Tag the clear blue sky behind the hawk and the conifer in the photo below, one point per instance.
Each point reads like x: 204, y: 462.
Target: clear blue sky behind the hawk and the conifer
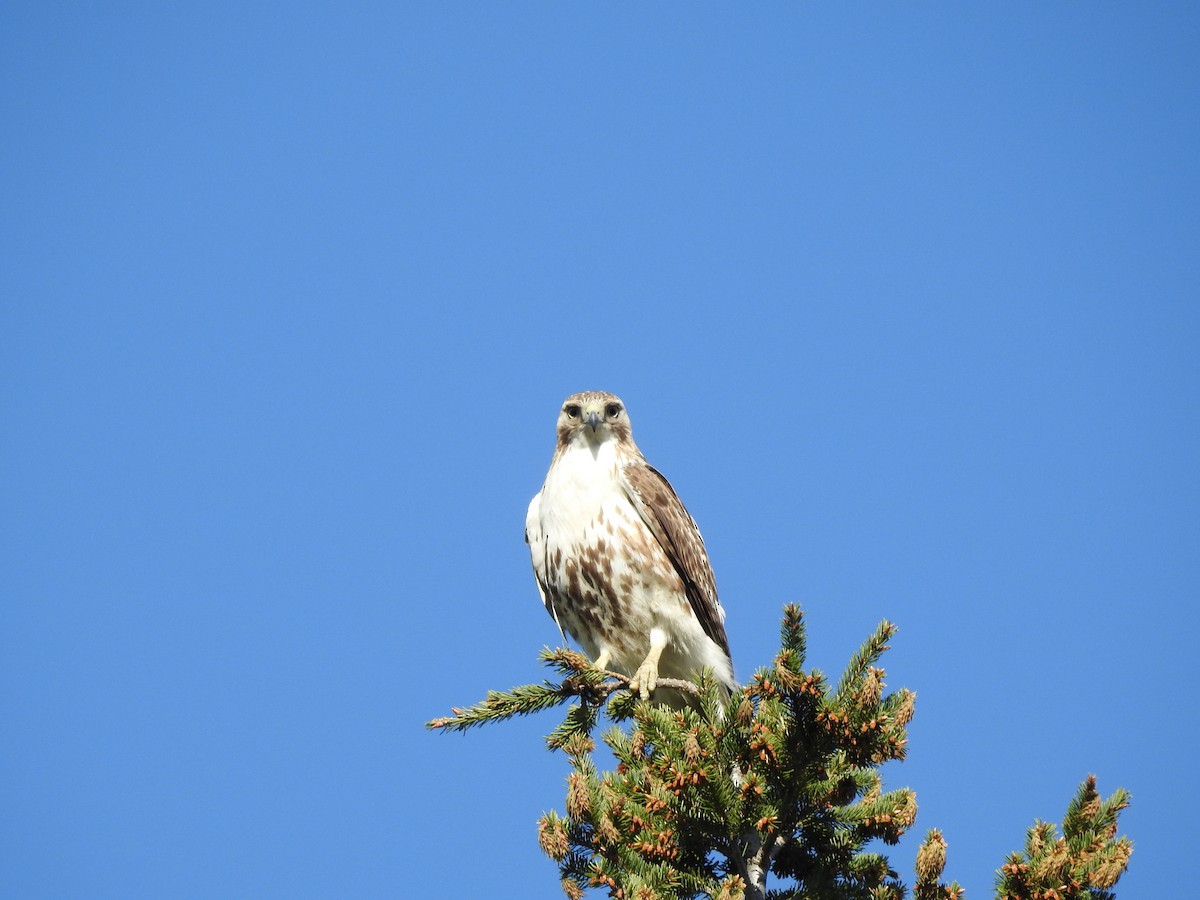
x: 904, y: 299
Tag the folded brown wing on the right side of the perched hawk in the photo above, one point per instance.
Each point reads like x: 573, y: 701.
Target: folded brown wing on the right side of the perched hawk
x: 676, y: 531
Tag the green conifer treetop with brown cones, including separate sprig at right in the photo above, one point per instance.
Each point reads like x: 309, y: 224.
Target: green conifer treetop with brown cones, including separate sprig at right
x: 781, y: 779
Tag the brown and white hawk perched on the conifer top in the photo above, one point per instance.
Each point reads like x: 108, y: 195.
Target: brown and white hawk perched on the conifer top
x: 620, y: 562
